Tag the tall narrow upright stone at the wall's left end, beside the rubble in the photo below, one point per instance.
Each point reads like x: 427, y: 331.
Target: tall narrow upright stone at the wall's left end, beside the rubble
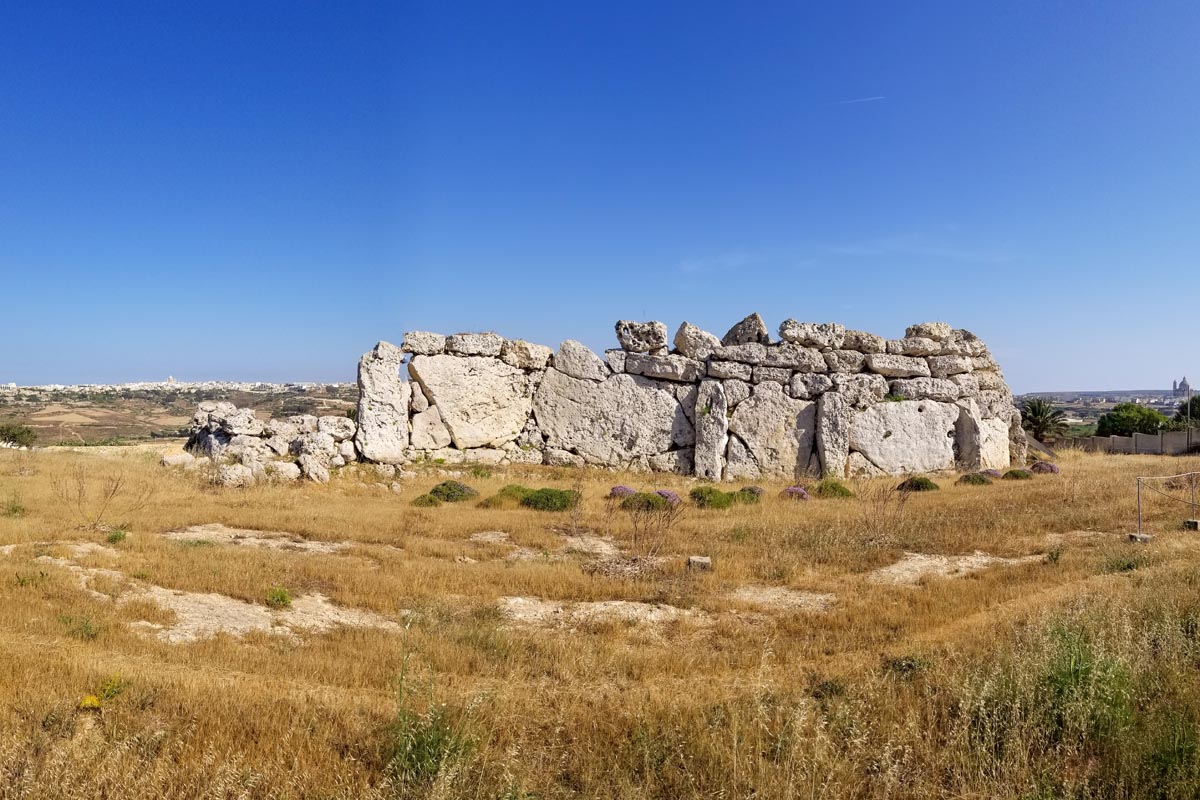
x: 382, y: 435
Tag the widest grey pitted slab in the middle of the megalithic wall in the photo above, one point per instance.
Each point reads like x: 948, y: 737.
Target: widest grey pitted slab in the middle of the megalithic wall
x: 611, y: 423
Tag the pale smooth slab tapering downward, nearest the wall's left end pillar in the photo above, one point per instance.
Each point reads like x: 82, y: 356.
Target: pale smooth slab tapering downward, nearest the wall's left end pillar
x: 483, y: 402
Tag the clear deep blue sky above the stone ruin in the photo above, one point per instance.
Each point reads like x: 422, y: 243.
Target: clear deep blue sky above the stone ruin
x: 262, y: 191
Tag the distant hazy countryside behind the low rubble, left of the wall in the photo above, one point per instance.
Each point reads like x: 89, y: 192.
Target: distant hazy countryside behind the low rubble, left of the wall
x: 61, y: 418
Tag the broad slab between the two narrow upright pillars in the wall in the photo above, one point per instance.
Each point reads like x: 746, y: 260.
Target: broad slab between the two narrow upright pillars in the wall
x: 779, y: 431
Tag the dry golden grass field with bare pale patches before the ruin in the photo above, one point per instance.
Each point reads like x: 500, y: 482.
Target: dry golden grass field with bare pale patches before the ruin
x: 337, y: 642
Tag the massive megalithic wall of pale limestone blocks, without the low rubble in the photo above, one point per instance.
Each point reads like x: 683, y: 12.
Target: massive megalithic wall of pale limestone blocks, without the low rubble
x: 820, y: 401
